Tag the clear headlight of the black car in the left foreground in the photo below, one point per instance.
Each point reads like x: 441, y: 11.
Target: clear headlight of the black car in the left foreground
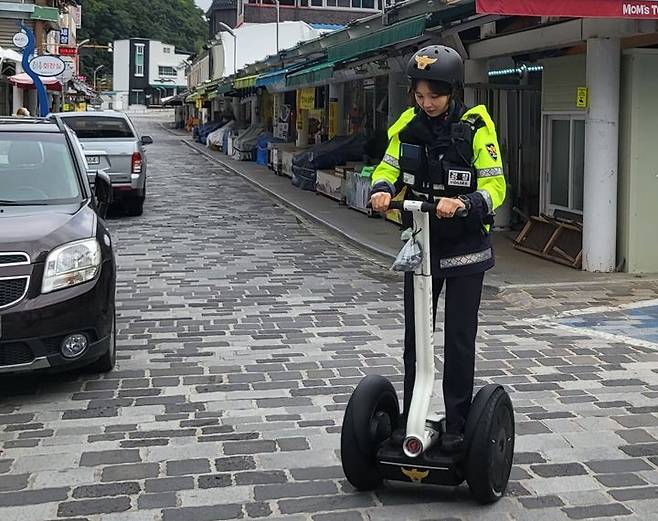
x: 71, y: 264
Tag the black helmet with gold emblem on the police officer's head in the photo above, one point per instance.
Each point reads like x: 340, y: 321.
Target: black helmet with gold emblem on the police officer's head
x: 437, y: 63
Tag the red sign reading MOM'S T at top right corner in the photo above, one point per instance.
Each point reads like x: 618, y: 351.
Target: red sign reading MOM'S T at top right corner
x: 571, y: 8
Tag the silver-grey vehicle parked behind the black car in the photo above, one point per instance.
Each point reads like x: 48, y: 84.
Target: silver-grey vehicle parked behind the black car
x: 111, y: 143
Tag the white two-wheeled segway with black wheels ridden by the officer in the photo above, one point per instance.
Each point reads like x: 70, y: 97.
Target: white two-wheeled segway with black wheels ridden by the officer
x: 369, y: 453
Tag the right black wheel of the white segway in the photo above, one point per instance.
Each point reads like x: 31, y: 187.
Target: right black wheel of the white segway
x: 490, y: 455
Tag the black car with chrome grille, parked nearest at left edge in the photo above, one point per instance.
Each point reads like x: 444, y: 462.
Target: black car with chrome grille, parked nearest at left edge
x: 57, y: 265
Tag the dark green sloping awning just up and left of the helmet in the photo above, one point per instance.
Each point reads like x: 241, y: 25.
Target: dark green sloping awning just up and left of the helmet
x: 395, y: 33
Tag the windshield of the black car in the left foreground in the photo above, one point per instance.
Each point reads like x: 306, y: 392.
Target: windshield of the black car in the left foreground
x: 37, y: 168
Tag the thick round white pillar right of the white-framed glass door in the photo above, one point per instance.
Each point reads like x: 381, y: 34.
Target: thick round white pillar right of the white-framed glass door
x: 601, y: 155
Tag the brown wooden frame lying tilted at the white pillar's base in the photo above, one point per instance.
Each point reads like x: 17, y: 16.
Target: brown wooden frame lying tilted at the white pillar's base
x: 557, y: 240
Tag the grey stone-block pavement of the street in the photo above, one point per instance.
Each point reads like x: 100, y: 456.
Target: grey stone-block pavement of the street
x: 243, y: 329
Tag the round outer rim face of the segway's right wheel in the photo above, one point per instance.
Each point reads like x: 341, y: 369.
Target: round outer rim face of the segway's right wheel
x: 502, y: 441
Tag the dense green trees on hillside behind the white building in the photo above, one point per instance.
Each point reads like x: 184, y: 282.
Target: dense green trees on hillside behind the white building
x: 177, y: 22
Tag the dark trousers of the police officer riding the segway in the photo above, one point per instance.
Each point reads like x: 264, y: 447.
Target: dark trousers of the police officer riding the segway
x: 461, y: 322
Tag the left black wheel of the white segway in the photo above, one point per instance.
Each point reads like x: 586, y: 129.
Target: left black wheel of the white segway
x: 371, y: 414
